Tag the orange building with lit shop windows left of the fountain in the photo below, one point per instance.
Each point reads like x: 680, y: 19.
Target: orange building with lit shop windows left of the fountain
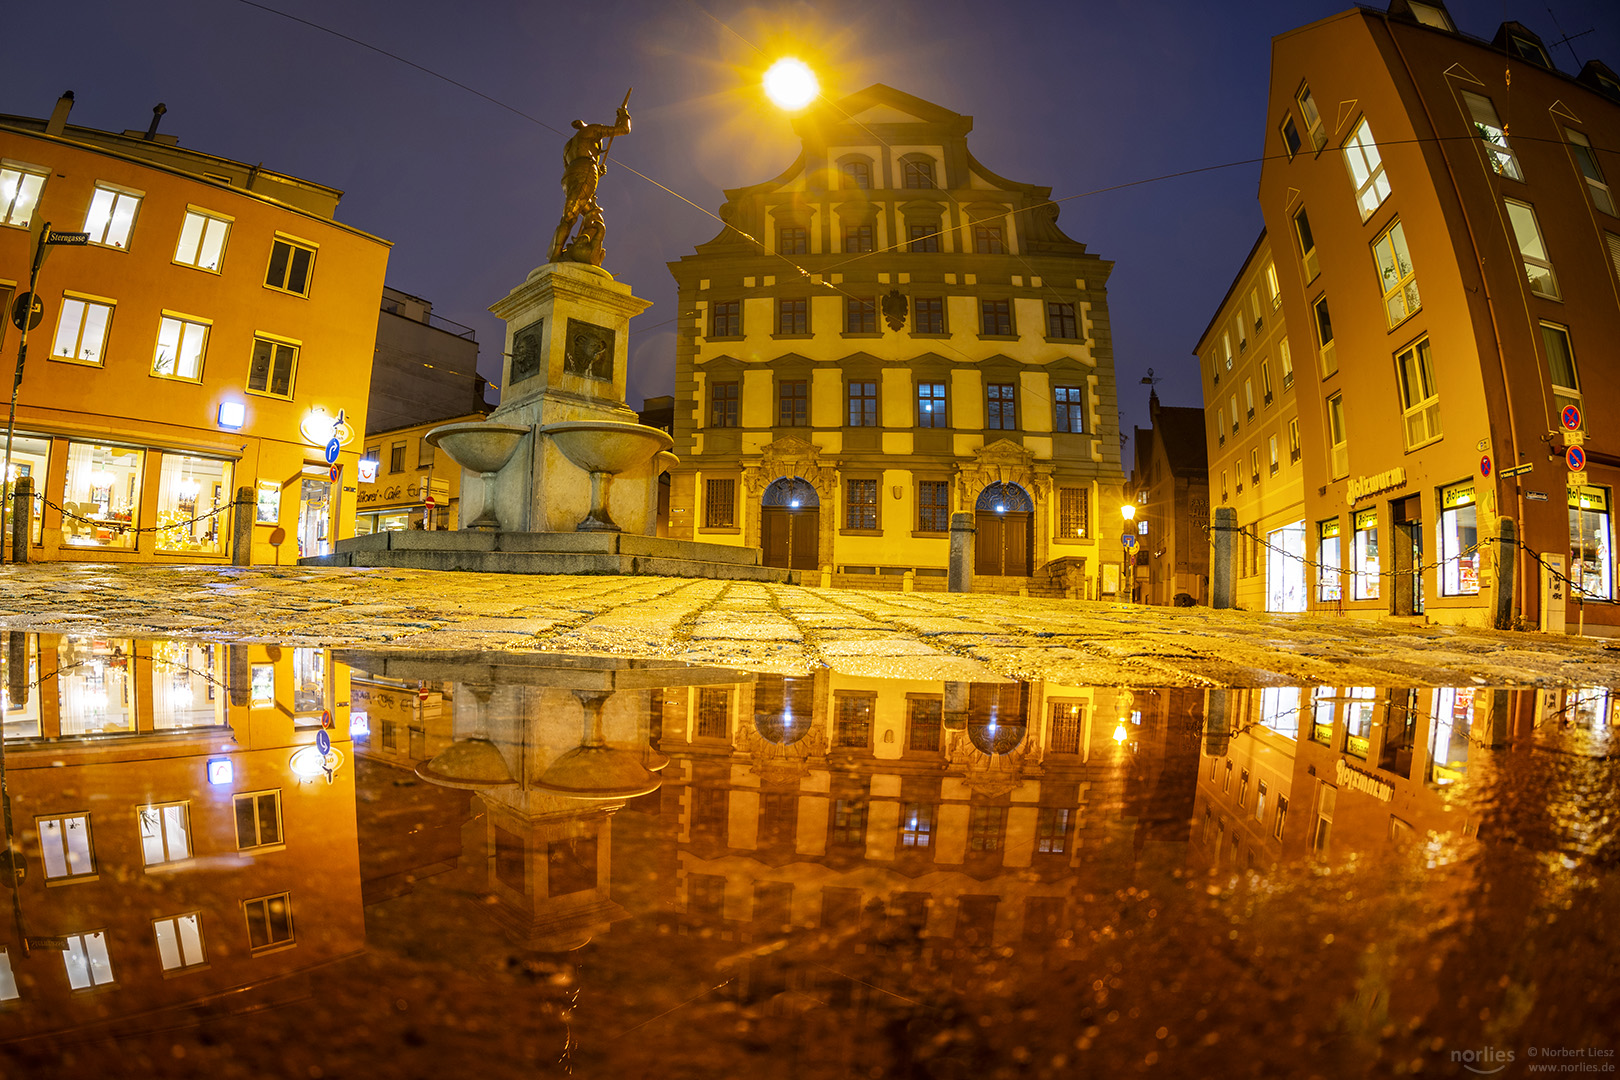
x: 205, y: 341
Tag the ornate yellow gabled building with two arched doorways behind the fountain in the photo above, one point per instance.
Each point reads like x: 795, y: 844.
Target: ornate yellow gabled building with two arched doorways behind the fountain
x: 889, y: 334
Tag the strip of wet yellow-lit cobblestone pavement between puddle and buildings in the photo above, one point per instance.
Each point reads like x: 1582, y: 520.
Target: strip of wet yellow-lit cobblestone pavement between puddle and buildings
x: 785, y: 629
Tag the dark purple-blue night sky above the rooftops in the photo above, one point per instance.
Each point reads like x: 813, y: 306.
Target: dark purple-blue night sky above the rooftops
x: 1076, y: 96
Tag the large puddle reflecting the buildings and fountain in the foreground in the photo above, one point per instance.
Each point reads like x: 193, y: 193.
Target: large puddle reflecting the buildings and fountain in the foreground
x: 258, y: 861
